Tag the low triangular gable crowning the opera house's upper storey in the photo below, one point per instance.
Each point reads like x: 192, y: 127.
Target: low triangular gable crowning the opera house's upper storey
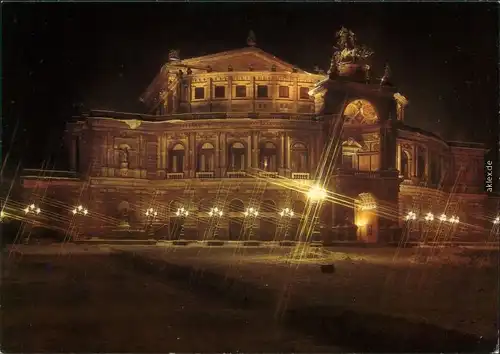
x: 240, y: 60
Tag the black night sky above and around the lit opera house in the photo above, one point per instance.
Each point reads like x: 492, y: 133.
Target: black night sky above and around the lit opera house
x: 57, y: 56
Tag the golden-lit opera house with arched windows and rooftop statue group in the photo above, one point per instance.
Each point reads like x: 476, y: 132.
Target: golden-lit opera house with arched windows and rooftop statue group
x: 243, y: 145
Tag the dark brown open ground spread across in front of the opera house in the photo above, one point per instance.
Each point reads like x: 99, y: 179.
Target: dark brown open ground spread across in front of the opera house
x: 78, y: 298
